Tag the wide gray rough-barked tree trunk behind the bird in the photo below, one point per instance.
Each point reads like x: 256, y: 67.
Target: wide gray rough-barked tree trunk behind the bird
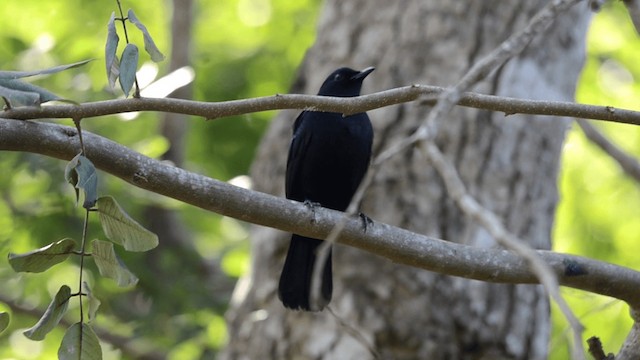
x: 510, y: 164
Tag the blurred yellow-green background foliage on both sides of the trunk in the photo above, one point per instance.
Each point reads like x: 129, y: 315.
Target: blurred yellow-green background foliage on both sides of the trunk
x: 240, y: 49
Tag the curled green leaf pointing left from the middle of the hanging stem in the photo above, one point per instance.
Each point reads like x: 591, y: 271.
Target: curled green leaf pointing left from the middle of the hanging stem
x: 42, y: 259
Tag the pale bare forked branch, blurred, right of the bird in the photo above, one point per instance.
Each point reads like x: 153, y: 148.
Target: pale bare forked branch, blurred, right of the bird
x: 426, y: 133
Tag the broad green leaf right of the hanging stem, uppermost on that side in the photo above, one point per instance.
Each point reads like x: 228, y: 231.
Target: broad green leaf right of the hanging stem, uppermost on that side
x: 122, y: 229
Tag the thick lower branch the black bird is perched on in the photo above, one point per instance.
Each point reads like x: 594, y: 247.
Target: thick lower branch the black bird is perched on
x: 399, y: 245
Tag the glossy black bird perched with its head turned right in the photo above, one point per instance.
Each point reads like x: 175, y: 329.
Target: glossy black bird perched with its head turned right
x: 328, y: 157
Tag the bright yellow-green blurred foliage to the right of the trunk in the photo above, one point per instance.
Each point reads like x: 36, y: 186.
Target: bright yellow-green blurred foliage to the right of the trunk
x: 599, y: 211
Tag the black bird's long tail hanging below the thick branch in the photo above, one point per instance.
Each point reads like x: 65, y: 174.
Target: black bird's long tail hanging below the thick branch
x: 295, y: 285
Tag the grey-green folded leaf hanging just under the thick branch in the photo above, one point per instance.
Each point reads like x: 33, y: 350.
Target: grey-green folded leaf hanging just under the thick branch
x: 81, y: 173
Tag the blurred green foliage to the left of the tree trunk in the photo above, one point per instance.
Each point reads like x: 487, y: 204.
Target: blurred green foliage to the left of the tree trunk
x: 241, y: 48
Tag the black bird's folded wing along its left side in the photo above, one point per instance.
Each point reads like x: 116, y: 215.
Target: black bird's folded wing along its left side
x: 295, y: 162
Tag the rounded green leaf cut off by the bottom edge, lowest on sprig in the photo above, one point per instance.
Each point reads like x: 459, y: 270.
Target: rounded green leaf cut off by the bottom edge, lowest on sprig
x: 80, y: 343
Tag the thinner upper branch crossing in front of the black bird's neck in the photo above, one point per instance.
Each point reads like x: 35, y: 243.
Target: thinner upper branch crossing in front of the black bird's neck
x: 423, y: 93
